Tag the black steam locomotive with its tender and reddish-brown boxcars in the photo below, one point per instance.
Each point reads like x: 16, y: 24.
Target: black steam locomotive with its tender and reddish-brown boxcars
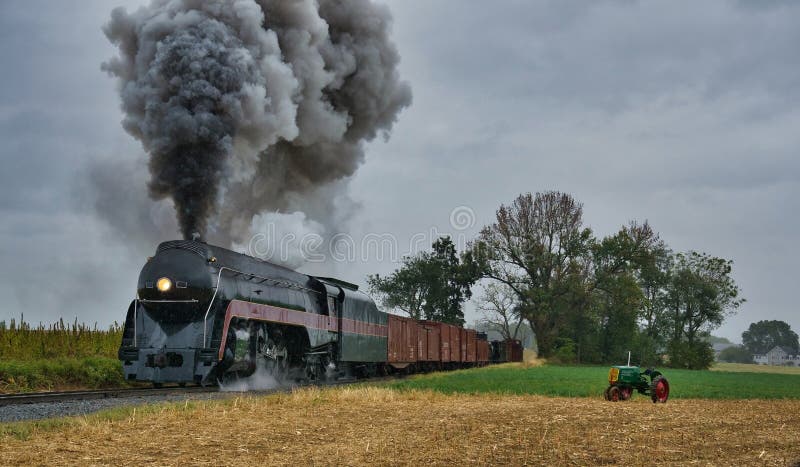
x: 204, y: 314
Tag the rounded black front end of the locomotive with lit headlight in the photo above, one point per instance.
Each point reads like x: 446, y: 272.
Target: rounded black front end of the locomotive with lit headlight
x: 164, y: 339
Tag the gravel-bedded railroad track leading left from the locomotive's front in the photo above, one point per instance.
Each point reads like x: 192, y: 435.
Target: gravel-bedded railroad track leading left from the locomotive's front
x: 41, y: 397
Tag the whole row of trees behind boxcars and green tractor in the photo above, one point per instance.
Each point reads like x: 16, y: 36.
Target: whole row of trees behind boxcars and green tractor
x: 586, y: 299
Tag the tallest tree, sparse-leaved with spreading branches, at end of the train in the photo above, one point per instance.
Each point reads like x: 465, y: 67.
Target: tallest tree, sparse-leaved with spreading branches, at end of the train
x: 538, y: 248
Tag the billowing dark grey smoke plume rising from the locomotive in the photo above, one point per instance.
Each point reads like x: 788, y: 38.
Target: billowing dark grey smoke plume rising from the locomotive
x: 254, y: 106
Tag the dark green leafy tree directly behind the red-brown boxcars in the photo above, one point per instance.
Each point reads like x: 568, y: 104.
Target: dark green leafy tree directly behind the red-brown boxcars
x: 431, y: 285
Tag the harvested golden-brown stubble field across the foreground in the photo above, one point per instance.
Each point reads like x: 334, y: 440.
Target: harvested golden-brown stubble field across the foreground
x: 357, y: 426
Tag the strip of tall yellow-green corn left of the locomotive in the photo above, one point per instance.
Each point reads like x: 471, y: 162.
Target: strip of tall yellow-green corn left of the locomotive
x: 21, y: 341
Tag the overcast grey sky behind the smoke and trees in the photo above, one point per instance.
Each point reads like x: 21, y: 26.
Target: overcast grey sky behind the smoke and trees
x: 684, y: 114
